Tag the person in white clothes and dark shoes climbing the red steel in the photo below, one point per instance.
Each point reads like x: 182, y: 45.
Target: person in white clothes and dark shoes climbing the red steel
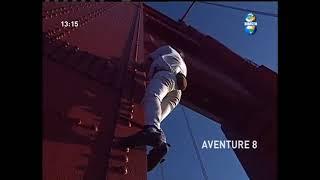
x: 167, y: 79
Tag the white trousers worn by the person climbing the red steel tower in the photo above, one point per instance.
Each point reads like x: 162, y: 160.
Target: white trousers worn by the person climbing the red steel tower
x: 160, y: 98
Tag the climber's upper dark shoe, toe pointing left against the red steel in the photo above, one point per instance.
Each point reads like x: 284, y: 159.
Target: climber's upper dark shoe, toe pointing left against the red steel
x: 150, y: 136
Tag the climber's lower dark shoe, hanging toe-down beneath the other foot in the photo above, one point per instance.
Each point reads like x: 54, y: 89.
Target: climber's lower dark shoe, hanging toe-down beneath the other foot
x: 156, y: 155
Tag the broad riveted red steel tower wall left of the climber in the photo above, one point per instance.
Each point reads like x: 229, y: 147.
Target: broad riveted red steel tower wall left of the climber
x: 84, y: 70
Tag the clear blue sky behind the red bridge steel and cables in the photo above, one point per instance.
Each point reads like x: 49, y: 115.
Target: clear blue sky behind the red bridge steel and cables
x: 226, y: 26
